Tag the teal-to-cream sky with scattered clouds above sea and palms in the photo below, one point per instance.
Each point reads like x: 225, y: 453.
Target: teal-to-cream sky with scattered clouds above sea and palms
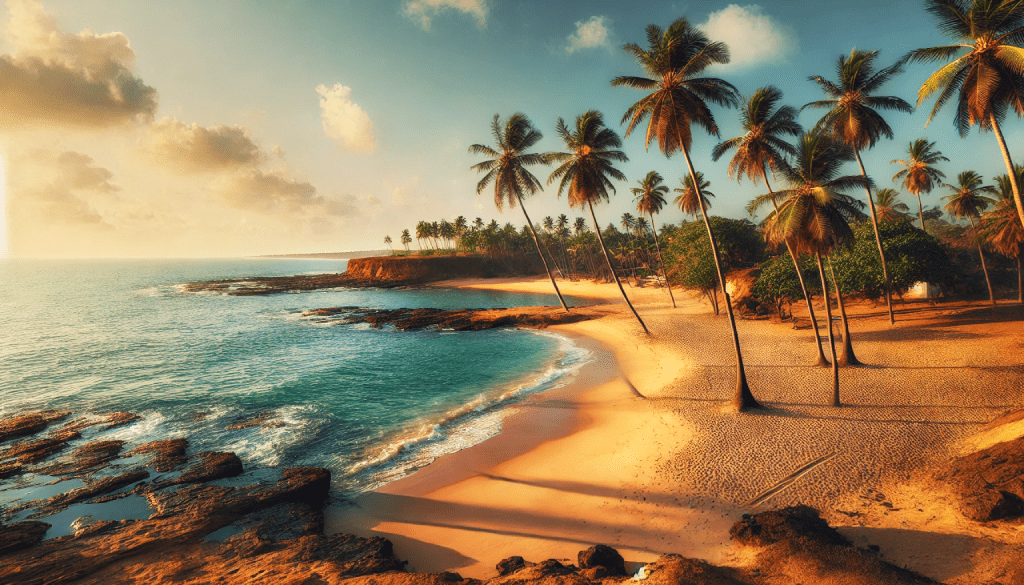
x: 145, y: 129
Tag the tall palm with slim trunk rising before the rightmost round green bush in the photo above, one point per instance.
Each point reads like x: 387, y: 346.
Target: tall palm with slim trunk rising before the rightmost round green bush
x: 852, y: 118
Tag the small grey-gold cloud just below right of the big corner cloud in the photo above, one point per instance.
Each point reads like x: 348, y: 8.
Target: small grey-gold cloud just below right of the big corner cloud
x: 194, y: 149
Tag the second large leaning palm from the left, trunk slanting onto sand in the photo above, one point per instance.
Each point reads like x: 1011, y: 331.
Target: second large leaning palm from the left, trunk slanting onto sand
x: 585, y: 171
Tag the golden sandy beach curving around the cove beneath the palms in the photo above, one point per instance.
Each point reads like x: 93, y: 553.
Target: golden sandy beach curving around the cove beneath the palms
x: 642, y: 452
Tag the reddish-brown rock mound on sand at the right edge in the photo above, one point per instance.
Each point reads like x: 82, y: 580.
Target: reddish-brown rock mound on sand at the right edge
x: 990, y: 484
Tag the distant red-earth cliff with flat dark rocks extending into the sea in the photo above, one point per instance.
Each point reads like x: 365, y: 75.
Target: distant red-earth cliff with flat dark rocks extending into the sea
x: 380, y: 272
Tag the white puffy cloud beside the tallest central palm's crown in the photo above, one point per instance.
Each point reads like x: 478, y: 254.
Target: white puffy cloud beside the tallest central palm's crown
x: 753, y: 36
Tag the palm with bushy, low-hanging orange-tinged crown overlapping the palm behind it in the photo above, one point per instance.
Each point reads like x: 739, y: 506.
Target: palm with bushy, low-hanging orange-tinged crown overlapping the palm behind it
x: 815, y: 214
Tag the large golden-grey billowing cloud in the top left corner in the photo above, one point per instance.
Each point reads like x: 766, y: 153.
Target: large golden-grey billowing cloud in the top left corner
x: 57, y: 79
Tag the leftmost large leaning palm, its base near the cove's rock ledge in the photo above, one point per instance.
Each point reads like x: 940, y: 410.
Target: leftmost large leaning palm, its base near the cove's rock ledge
x: 508, y: 171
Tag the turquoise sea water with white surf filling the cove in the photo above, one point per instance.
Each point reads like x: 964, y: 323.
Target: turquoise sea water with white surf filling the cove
x: 371, y: 405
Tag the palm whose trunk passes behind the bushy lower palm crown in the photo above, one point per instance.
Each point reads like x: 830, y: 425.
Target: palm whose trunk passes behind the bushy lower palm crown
x: 762, y: 148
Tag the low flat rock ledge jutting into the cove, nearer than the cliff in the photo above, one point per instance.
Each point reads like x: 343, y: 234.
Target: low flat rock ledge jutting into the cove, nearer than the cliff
x: 459, y: 320
